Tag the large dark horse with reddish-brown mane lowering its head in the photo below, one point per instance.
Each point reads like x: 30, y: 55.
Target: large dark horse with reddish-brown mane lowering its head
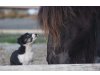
x: 72, y: 33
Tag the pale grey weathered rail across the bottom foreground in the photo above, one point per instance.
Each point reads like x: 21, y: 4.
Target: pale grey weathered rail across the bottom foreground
x: 69, y: 67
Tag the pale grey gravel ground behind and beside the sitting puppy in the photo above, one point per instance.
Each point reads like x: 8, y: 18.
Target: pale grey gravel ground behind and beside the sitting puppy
x: 7, y: 49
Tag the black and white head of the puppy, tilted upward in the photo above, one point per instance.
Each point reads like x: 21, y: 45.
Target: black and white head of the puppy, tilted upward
x: 26, y: 38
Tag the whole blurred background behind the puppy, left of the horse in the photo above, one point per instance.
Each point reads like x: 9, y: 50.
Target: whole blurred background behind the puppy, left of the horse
x: 15, y: 21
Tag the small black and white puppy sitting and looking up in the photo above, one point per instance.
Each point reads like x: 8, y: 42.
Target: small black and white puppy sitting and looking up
x: 24, y: 55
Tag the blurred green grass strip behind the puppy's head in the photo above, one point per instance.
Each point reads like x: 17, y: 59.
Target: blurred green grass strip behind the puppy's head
x: 12, y: 38
